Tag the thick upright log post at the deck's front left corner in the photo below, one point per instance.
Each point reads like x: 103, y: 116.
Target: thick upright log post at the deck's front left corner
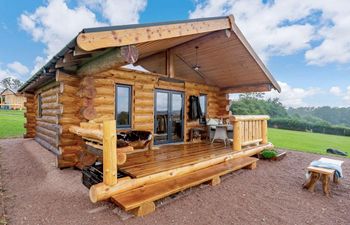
x: 109, y: 153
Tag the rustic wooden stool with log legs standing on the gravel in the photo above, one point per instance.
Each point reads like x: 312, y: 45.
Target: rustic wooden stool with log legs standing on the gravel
x: 322, y: 174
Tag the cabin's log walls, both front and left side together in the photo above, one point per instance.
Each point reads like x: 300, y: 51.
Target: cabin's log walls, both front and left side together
x: 71, y: 100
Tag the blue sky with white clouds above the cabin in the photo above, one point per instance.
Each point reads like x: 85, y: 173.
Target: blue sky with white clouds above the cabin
x: 305, y: 44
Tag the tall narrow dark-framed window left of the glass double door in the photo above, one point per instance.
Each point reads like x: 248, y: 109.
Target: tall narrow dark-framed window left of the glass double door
x: 123, y: 105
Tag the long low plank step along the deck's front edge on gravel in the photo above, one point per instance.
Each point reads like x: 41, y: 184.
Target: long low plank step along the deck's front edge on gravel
x: 140, y: 201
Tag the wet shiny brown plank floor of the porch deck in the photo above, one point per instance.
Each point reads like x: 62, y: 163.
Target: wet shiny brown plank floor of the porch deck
x: 169, y: 157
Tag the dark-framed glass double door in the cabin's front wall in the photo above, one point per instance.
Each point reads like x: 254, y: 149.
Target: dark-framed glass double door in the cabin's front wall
x: 168, y: 116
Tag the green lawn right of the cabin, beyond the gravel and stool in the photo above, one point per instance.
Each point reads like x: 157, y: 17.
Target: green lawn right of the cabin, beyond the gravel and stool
x: 308, y: 142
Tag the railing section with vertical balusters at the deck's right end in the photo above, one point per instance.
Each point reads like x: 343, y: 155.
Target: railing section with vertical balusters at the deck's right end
x: 248, y: 130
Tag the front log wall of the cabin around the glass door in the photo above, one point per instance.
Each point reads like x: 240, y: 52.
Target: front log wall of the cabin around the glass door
x: 143, y: 89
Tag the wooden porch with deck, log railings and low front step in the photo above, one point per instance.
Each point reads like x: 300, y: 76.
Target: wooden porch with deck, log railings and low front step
x: 161, y: 171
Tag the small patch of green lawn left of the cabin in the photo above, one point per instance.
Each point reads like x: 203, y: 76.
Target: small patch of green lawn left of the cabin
x: 11, y: 123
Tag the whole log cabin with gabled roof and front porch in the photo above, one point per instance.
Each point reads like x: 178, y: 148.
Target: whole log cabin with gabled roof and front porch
x: 166, y: 79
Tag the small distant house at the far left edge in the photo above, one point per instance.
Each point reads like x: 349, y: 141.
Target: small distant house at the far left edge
x: 11, y: 100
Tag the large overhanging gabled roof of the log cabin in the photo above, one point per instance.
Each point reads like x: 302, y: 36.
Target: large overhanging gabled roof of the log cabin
x: 226, y: 59
